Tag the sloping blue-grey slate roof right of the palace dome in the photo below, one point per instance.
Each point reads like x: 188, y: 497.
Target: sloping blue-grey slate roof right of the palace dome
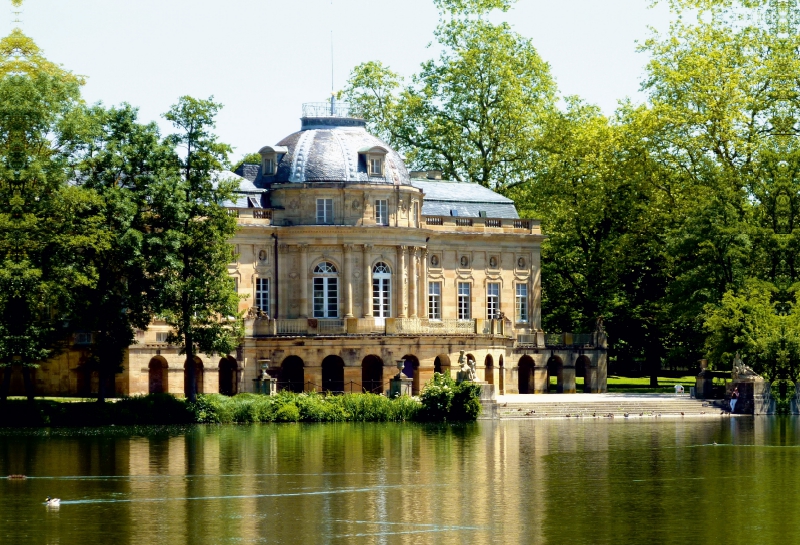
x: 465, y: 198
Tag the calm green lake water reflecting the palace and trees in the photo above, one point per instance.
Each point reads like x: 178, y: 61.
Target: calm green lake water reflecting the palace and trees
x: 555, y: 481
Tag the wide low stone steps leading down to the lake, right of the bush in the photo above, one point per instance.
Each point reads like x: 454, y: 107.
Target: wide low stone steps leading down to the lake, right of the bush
x: 616, y: 407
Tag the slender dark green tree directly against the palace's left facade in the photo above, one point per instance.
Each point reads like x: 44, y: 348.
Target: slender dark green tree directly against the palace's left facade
x: 187, y: 241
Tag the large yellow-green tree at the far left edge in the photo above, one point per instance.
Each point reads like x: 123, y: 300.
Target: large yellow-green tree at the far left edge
x: 45, y: 223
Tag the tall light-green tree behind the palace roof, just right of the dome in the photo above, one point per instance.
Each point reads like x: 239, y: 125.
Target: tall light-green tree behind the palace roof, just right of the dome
x: 475, y: 113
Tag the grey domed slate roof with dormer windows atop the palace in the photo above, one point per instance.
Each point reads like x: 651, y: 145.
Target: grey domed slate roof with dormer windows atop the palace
x: 335, y: 149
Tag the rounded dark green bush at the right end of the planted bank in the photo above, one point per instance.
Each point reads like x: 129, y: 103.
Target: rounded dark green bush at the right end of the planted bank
x: 444, y: 400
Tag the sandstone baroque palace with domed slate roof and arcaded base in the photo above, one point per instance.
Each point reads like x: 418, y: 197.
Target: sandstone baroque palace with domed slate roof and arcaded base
x: 352, y: 265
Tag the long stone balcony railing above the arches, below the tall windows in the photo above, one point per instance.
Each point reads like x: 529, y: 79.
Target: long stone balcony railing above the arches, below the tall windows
x: 302, y: 327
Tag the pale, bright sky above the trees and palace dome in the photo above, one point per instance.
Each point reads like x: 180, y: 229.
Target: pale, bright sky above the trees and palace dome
x: 262, y: 59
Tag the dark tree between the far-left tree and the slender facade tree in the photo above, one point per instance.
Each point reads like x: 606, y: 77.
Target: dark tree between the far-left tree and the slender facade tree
x: 119, y: 160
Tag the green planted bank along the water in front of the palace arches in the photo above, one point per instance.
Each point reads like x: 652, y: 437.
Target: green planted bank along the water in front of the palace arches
x: 441, y: 400
